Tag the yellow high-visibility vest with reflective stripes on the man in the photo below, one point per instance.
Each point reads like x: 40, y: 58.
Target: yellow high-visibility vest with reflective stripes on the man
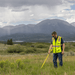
x: 56, y: 45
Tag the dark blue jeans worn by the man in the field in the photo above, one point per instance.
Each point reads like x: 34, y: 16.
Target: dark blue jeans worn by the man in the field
x: 55, y: 56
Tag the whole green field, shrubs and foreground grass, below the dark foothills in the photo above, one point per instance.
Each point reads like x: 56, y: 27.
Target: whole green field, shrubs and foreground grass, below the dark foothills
x: 27, y: 59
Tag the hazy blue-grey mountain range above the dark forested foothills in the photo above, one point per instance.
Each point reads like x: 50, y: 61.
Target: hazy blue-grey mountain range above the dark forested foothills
x: 46, y: 27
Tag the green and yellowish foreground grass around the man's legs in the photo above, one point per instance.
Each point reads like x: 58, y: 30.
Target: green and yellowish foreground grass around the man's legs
x: 31, y: 65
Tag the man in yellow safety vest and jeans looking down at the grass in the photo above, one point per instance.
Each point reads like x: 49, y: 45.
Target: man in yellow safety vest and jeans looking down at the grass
x: 58, y: 46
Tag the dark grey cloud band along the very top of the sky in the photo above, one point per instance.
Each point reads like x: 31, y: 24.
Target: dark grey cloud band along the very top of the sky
x: 19, y: 3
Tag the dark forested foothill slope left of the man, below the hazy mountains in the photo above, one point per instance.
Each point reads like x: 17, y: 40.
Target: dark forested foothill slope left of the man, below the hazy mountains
x: 38, y: 37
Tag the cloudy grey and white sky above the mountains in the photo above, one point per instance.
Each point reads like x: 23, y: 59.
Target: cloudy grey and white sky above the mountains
x: 15, y: 12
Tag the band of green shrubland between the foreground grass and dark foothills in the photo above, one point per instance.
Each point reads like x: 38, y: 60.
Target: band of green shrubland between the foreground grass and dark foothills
x: 27, y: 48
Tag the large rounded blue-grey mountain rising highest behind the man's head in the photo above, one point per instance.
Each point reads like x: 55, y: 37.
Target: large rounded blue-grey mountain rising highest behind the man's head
x: 60, y: 26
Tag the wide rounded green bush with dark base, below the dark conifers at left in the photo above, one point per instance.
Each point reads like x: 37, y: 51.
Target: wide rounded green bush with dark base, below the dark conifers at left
x: 15, y: 49
